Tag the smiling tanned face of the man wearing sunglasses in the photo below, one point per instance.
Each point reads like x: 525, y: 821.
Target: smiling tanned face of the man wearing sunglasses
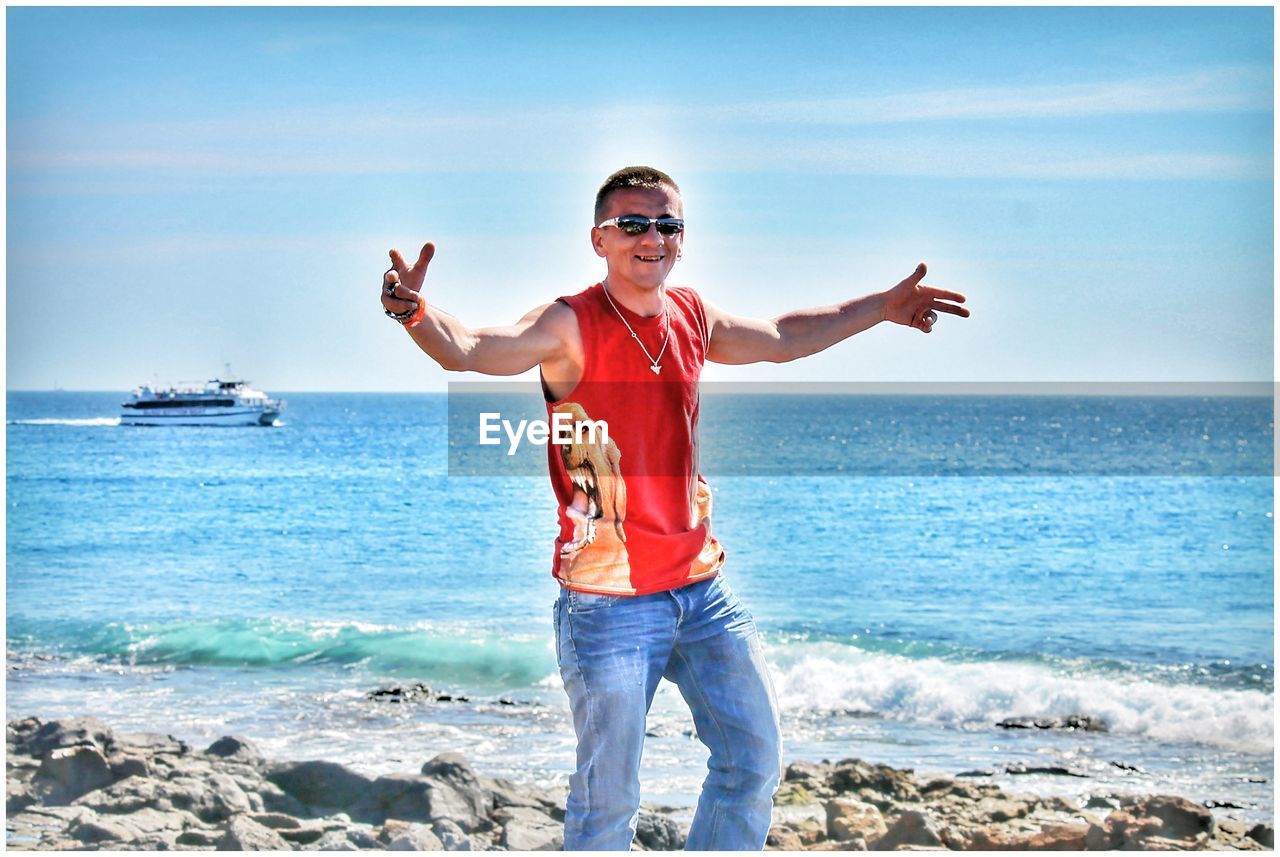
x: 639, y: 262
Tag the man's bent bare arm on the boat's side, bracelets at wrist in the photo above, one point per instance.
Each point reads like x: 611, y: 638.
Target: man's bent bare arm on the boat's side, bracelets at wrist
x: 538, y: 338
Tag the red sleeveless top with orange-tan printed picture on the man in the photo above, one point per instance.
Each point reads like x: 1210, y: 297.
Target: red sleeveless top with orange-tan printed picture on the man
x: 634, y: 511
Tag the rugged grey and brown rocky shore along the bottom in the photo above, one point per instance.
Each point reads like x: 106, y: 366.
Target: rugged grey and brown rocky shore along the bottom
x: 76, y: 785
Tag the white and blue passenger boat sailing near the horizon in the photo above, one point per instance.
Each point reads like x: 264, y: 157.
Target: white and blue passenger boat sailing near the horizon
x: 218, y: 404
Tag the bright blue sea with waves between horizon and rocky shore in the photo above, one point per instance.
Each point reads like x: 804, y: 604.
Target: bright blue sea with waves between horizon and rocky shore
x: 922, y: 569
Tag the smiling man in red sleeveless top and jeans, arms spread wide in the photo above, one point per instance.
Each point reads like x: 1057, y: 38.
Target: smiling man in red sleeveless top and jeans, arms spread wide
x: 642, y: 597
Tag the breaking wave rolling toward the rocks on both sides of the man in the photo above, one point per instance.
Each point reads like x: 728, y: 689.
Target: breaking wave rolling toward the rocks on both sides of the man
x: 817, y: 677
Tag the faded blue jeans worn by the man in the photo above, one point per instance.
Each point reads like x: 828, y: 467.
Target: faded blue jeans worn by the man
x: 612, y: 650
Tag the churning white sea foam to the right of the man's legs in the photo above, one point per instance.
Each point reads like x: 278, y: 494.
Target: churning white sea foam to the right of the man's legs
x: 834, y: 677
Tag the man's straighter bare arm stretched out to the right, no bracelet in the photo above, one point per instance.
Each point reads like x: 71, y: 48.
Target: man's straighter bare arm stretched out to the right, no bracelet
x: 735, y: 340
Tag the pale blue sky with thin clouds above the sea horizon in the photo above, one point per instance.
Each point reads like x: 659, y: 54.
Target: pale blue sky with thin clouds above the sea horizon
x: 191, y: 187
